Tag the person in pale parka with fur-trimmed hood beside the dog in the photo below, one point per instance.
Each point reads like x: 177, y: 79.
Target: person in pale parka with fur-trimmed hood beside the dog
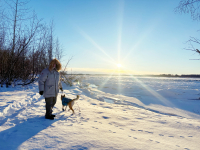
x: 49, y: 85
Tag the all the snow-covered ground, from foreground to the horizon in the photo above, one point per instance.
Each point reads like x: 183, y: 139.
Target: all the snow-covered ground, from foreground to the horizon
x: 115, y: 113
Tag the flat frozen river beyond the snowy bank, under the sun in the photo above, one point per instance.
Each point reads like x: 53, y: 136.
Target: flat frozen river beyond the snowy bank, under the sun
x: 181, y: 93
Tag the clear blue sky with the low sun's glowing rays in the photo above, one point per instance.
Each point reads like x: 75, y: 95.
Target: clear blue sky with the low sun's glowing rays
x: 144, y: 36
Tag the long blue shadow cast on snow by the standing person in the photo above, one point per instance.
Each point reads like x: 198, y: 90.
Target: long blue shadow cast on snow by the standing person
x: 15, y: 136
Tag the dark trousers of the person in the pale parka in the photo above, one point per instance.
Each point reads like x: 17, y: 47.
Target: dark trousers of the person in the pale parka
x: 50, y: 102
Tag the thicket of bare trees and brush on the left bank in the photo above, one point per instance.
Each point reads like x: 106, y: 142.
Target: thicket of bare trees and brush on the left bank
x: 26, y: 44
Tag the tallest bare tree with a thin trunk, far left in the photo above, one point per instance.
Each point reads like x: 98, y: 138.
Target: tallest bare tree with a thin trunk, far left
x: 22, y: 31
